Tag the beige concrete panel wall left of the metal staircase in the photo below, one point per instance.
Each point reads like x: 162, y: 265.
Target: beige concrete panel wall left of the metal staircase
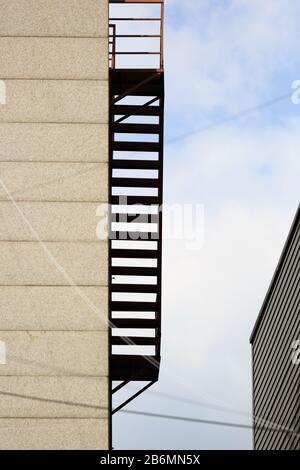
x: 53, y: 169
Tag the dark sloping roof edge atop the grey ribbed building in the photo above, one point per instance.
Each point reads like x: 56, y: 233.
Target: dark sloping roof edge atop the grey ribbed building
x: 276, y: 274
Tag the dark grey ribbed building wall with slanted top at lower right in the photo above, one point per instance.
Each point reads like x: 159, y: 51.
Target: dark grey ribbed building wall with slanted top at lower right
x: 276, y: 399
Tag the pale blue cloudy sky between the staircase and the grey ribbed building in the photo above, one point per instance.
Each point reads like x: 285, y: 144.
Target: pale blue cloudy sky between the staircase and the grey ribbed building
x: 222, y: 58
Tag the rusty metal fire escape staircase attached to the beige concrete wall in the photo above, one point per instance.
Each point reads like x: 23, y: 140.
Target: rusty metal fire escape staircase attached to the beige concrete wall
x: 136, y: 196
